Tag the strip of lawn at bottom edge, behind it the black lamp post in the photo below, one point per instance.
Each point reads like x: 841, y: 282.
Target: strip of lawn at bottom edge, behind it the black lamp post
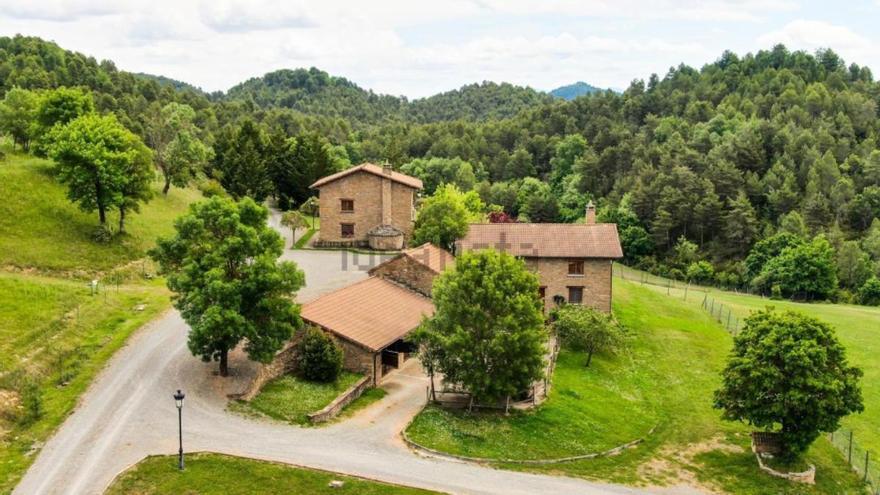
x: 207, y: 474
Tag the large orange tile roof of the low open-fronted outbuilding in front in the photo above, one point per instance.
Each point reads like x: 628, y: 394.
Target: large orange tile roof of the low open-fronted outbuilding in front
x: 373, y: 313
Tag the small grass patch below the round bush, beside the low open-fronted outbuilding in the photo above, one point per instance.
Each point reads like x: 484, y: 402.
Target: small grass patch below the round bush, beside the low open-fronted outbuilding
x: 291, y: 399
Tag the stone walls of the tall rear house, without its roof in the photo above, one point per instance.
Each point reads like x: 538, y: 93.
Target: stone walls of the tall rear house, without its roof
x: 376, y: 201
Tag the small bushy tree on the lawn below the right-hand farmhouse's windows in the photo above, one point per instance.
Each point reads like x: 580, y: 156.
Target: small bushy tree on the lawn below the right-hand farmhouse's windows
x: 588, y: 330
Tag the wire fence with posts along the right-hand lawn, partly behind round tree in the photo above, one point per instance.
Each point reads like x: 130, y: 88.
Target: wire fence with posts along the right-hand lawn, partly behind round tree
x: 864, y: 462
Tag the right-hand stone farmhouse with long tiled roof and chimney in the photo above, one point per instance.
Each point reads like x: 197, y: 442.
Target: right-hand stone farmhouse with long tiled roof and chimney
x: 573, y: 261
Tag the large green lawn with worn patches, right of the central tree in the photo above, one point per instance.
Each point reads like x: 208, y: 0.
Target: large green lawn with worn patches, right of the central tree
x: 667, y: 376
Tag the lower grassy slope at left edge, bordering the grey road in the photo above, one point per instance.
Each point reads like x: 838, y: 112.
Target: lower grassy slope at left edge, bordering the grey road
x: 57, y: 335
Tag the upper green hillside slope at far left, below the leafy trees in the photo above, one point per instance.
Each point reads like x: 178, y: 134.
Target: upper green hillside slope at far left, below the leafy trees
x: 40, y: 228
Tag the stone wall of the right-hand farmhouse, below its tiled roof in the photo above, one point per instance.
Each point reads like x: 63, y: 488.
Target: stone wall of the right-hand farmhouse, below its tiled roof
x: 556, y: 281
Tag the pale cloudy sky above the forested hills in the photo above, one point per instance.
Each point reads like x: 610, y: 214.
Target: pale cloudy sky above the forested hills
x: 417, y: 48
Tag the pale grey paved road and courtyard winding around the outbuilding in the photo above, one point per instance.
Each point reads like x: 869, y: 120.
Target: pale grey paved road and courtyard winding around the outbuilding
x: 128, y: 413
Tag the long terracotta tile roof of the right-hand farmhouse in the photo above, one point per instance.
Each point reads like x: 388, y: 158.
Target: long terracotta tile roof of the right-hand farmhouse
x: 547, y: 240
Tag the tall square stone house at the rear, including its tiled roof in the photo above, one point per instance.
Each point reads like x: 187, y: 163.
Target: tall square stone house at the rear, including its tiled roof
x: 366, y: 206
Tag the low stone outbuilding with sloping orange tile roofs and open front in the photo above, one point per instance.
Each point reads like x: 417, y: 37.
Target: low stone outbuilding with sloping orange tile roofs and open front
x: 371, y: 318
